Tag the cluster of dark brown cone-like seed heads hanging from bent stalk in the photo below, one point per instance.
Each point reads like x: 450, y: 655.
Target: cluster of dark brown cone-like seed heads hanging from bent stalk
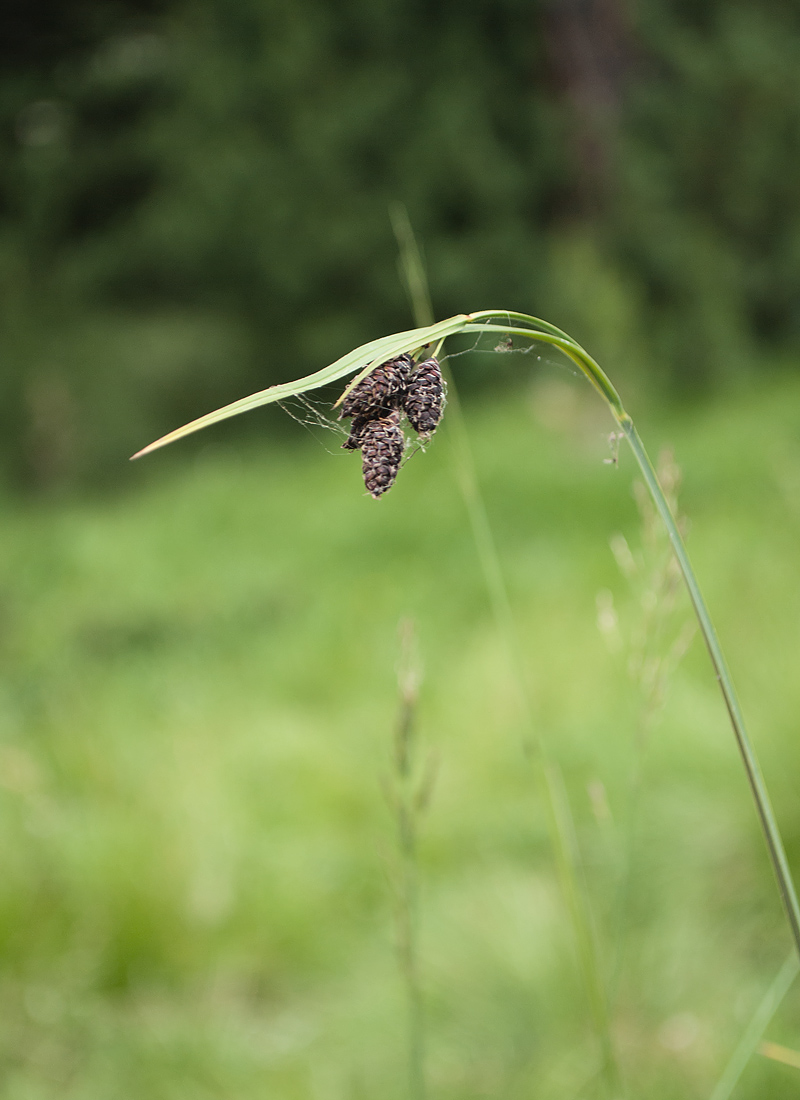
x: 376, y: 406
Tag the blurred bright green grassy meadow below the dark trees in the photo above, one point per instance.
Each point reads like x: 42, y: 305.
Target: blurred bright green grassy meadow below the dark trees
x: 198, y: 697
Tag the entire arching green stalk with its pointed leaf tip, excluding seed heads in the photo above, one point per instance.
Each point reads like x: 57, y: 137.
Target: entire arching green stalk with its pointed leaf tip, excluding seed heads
x: 365, y: 359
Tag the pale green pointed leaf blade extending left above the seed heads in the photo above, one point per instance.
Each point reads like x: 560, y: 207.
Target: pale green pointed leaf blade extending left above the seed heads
x: 376, y: 351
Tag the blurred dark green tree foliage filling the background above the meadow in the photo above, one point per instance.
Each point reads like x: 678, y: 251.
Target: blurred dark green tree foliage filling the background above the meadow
x: 194, y: 196
